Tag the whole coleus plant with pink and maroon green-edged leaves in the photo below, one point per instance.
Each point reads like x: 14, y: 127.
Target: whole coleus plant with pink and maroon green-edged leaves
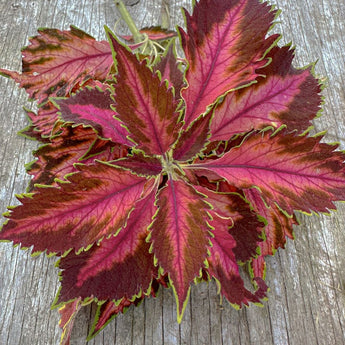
x: 164, y: 171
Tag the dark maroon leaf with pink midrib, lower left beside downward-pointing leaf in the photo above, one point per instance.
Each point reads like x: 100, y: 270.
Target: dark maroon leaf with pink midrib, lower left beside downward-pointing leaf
x: 119, y: 267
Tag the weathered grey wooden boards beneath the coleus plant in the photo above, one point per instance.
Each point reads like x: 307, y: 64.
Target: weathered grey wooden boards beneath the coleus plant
x: 307, y: 298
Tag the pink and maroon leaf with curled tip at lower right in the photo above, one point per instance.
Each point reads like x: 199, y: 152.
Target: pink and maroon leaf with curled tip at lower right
x: 223, y: 267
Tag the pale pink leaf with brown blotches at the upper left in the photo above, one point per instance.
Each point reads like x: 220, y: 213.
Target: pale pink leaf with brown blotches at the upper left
x: 56, y: 60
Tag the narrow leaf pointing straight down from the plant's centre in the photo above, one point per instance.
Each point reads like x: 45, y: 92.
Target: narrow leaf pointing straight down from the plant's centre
x: 180, y: 237
